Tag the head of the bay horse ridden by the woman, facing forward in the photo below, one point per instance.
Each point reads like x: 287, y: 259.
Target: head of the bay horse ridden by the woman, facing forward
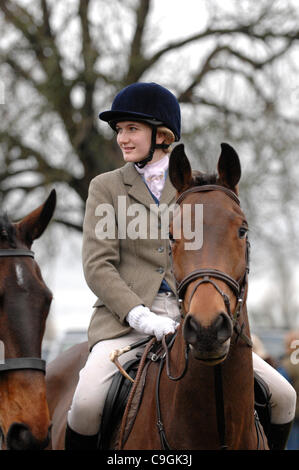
x: 212, y: 274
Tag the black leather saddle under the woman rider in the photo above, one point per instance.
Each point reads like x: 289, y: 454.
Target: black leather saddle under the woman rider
x: 120, y: 389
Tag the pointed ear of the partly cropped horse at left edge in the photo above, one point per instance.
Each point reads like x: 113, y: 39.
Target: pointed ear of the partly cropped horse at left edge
x: 33, y: 225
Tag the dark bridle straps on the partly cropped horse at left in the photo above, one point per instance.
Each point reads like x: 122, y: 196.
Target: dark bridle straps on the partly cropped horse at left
x: 19, y: 363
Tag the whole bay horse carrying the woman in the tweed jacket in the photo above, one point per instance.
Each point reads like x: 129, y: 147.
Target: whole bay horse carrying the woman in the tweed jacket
x: 203, y: 397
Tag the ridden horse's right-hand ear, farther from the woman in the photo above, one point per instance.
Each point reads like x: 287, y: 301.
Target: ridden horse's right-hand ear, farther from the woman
x: 229, y: 168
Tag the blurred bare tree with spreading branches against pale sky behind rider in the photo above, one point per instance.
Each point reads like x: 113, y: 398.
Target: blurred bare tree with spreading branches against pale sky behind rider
x: 63, y: 61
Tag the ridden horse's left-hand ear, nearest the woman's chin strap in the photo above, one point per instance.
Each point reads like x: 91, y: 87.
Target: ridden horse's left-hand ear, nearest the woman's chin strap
x: 180, y: 172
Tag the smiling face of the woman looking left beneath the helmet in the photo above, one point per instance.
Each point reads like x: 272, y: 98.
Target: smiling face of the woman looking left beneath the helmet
x: 134, y: 139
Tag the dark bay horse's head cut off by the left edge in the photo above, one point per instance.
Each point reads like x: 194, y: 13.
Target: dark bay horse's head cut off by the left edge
x: 24, y: 305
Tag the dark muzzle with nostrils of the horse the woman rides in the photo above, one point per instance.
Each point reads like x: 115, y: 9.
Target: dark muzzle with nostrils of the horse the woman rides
x: 209, y: 344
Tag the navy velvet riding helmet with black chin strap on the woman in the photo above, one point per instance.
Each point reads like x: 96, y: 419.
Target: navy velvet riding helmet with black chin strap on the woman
x: 150, y: 103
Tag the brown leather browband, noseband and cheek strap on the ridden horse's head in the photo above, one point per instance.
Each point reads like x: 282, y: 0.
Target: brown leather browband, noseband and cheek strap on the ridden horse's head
x: 205, y: 275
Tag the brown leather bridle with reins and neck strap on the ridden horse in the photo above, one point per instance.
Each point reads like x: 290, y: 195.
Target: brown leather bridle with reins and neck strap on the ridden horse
x: 239, y: 289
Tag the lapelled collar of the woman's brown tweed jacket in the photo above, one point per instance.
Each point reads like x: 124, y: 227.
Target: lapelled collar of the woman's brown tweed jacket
x: 137, y: 188
